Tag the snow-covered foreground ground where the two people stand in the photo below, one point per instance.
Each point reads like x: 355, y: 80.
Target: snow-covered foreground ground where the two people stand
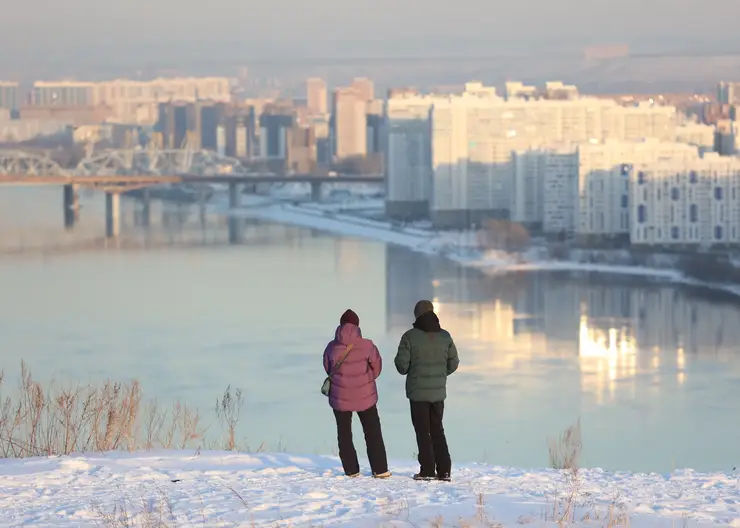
x: 234, y: 489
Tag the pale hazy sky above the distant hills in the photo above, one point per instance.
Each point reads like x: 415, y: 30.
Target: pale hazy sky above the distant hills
x: 30, y: 28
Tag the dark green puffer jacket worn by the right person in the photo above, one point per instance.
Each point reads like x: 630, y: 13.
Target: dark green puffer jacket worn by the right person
x: 426, y: 356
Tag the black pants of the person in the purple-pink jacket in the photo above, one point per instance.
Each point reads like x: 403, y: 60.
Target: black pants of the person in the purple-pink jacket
x: 373, y: 441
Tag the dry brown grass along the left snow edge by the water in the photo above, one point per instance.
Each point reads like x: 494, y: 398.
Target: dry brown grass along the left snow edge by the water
x: 45, y: 420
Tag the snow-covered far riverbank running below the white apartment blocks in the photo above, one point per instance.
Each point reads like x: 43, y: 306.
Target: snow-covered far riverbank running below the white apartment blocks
x: 456, y: 246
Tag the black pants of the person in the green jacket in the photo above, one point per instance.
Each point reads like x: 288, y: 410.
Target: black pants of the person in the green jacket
x: 430, y: 438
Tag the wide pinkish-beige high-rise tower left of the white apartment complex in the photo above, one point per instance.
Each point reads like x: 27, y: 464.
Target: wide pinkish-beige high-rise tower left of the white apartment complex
x: 349, y: 112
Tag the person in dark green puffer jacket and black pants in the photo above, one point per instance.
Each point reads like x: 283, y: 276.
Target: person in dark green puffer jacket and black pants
x: 426, y: 356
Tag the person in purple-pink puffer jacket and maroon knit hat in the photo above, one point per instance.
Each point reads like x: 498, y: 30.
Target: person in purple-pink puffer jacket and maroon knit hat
x: 354, y: 364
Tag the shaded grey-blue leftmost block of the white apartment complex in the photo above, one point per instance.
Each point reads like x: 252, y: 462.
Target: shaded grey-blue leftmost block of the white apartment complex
x: 408, y: 155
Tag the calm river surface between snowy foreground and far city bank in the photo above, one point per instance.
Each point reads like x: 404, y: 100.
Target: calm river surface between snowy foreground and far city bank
x: 651, y: 369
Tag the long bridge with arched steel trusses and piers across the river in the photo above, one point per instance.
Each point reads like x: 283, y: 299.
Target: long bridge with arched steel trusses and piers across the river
x: 119, y: 171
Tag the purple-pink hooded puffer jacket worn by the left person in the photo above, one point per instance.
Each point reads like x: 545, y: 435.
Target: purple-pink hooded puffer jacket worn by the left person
x: 353, y: 385
